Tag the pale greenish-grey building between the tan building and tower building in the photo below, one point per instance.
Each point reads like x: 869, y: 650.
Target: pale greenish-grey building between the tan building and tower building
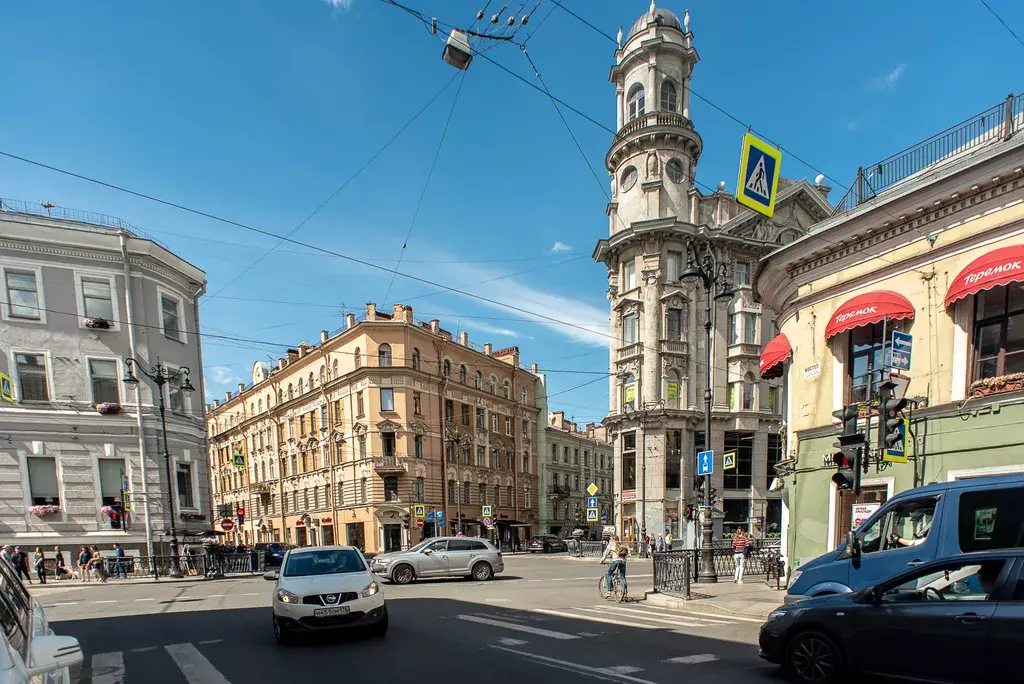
x: 572, y: 460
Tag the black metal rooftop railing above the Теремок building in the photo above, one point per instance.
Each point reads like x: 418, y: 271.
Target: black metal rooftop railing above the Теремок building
x: 997, y: 124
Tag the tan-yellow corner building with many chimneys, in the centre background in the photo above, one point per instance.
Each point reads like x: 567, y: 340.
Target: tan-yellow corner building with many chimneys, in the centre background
x: 343, y: 442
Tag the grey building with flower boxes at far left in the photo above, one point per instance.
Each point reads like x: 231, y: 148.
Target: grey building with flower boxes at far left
x: 79, y: 293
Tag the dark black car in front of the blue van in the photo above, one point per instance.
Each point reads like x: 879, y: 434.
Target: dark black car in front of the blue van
x: 960, y: 619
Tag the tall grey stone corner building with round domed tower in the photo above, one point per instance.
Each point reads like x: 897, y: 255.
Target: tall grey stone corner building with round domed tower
x: 659, y: 222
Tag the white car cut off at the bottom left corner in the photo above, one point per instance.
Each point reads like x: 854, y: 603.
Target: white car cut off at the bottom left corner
x: 31, y: 652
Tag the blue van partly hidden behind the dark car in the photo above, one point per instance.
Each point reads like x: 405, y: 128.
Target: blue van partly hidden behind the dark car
x: 916, y: 527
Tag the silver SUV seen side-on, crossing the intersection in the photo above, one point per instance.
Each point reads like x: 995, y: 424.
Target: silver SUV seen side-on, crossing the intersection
x: 441, y: 558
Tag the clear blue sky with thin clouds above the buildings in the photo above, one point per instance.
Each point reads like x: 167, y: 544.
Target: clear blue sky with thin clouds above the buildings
x: 260, y: 110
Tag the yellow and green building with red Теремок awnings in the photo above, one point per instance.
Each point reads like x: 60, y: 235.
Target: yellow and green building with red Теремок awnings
x: 937, y: 253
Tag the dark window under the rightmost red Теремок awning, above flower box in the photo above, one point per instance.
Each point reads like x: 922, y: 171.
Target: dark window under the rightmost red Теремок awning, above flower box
x: 999, y: 332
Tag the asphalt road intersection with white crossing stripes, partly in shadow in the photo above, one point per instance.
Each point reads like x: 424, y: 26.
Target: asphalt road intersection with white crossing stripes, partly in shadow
x: 542, y: 620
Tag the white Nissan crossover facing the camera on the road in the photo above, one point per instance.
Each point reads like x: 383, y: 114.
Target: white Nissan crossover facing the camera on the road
x: 326, y: 588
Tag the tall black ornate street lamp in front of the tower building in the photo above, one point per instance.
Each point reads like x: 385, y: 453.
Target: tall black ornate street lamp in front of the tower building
x: 716, y: 284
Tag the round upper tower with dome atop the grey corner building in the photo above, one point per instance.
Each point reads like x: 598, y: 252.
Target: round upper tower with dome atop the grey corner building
x: 654, y: 156
